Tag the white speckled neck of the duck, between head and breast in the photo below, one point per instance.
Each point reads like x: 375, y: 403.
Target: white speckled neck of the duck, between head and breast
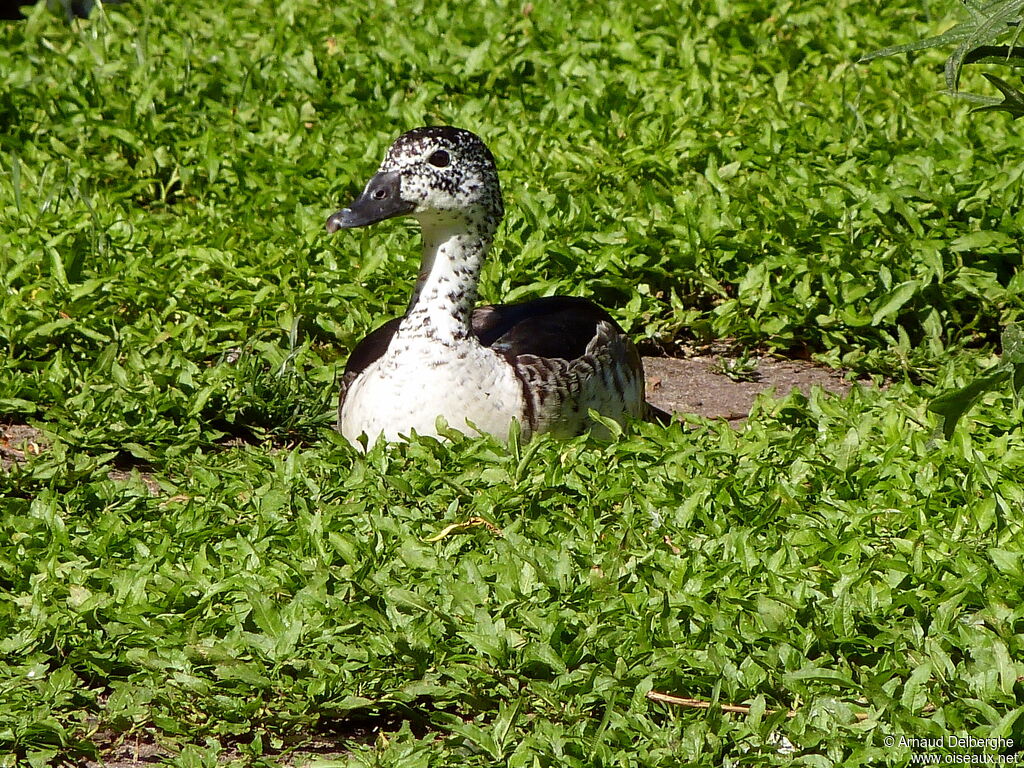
x: 443, y: 303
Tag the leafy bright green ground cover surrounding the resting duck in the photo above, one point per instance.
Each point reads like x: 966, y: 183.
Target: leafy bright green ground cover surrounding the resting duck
x: 723, y: 170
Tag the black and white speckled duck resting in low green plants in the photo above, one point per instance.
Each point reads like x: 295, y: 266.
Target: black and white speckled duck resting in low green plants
x: 544, y: 363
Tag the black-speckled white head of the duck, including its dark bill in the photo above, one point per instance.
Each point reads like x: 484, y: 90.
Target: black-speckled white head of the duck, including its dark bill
x: 439, y: 175
